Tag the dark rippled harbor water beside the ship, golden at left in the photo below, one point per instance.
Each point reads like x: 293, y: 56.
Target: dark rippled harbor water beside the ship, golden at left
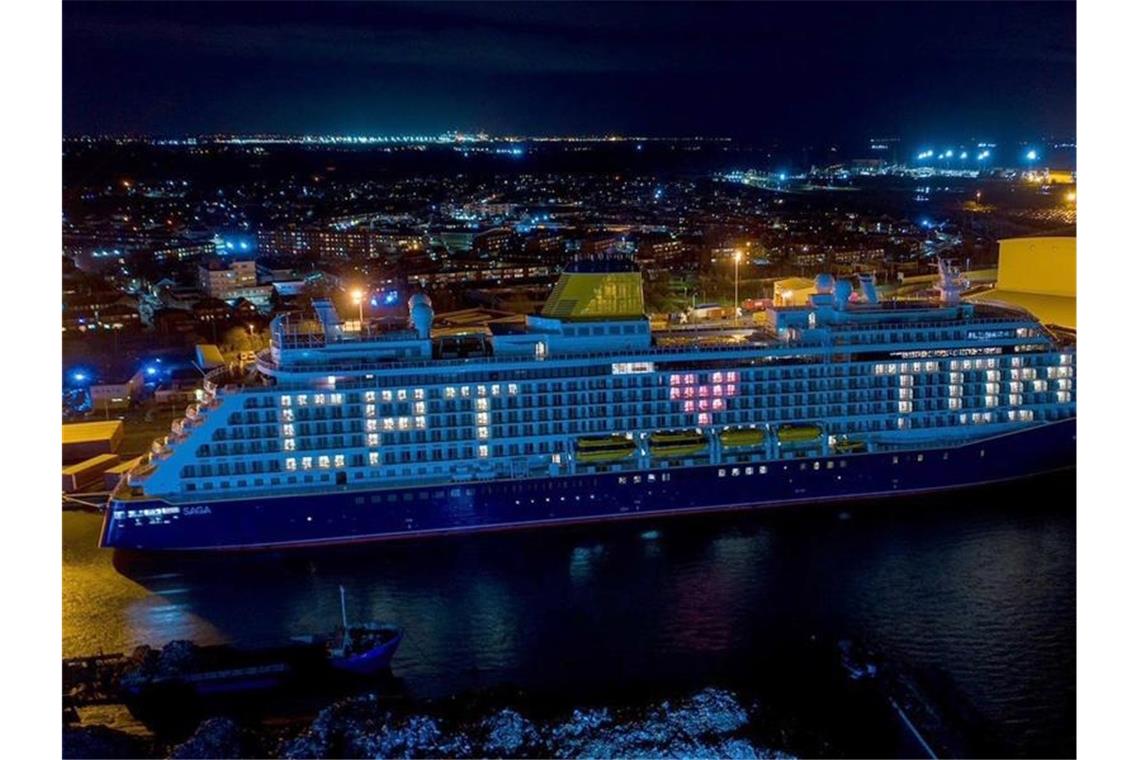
x: 973, y: 593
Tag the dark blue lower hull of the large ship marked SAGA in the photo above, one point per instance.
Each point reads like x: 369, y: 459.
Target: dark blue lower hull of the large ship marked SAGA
x: 346, y: 516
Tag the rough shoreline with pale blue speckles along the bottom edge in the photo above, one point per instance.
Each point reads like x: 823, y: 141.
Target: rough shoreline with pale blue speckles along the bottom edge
x: 712, y: 723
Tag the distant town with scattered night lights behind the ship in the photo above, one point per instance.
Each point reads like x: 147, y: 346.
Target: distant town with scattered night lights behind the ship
x: 178, y: 247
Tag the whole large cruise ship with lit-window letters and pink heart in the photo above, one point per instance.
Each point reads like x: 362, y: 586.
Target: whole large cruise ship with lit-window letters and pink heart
x: 346, y: 431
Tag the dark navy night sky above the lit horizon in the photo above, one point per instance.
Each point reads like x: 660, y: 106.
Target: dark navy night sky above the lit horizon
x: 922, y: 71
